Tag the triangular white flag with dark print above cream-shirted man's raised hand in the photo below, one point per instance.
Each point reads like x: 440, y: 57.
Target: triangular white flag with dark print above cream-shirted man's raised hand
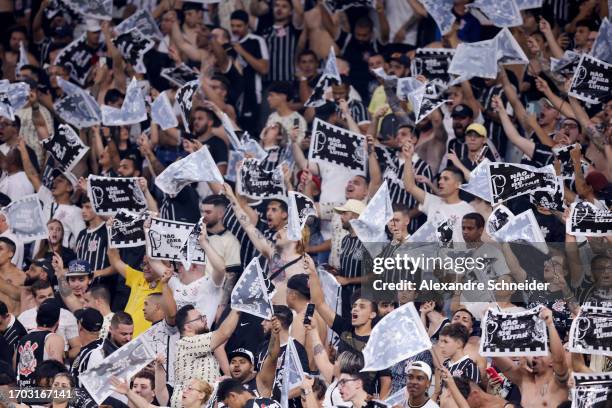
x: 250, y: 294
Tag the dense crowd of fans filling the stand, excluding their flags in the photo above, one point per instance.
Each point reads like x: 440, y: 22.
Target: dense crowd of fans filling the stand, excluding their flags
x: 69, y: 301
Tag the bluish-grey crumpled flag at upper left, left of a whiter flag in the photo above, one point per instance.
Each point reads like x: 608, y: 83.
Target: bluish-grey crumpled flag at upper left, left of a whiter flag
x: 78, y: 107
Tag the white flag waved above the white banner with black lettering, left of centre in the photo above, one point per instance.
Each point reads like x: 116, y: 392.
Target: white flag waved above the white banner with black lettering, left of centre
x: 198, y: 166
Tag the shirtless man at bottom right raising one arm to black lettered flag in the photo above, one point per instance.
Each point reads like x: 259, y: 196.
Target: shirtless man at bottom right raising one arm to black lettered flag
x: 542, y: 380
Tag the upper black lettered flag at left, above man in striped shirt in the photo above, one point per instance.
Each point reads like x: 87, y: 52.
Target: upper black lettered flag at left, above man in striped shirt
x: 111, y: 194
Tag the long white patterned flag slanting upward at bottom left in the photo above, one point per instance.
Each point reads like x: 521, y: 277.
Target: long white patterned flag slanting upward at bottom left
x: 122, y: 363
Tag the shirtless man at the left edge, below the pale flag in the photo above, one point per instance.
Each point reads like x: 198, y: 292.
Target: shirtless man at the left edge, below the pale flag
x: 11, y: 277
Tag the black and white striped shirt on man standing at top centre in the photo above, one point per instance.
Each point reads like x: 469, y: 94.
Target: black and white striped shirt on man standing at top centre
x: 282, y: 46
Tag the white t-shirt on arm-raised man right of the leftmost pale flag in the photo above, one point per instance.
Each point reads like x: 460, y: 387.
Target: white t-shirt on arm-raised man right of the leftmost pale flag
x: 69, y: 215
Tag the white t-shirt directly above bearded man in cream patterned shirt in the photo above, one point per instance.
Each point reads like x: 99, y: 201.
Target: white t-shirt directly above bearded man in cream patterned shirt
x: 202, y: 293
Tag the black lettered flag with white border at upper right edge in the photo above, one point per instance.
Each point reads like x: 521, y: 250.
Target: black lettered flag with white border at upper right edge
x: 591, y: 81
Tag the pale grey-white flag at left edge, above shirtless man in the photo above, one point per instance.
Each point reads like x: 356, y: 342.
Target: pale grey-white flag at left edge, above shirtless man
x: 26, y: 218
